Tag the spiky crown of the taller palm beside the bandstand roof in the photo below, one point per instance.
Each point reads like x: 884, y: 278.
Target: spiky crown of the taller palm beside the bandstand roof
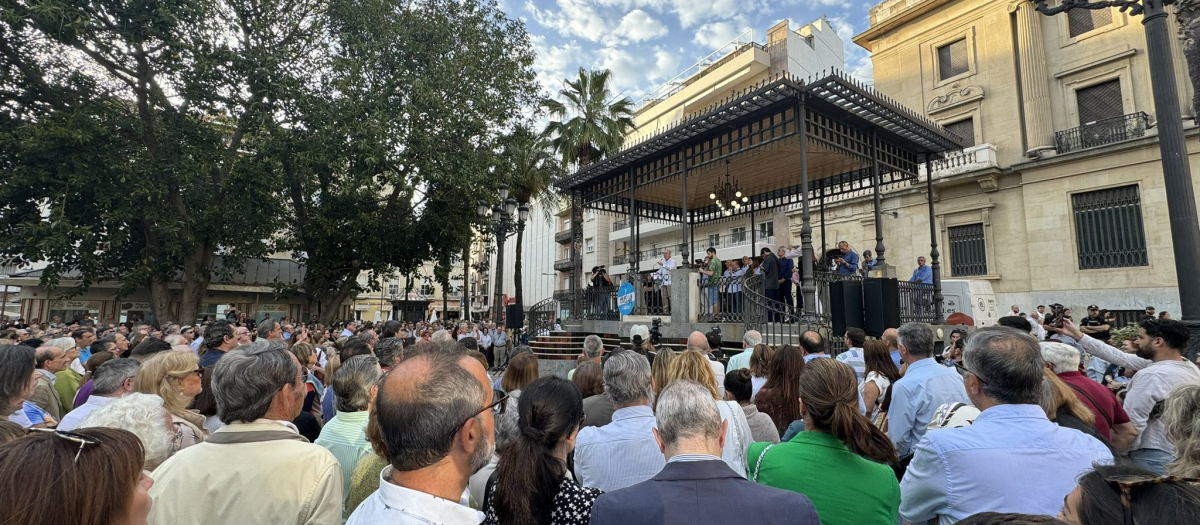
x: 595, y: 125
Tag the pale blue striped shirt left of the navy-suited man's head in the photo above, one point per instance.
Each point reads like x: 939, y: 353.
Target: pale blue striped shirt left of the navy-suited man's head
x: 621, y: 454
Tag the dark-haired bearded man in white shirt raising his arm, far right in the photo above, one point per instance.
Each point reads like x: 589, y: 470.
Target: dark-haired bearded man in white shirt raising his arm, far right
x: 1159, y: 359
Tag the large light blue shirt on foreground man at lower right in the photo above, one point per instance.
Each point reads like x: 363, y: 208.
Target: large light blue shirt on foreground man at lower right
x: 1012, y: 460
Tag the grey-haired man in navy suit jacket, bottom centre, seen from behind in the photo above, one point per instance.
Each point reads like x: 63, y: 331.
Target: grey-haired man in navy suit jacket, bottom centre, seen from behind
x: 692, y: 435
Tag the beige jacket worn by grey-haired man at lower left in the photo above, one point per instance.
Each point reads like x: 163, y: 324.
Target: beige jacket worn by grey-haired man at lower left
x: 283, y: 481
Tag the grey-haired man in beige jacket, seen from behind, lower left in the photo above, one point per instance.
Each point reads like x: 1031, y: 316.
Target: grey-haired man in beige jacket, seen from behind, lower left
x: 260, y: 389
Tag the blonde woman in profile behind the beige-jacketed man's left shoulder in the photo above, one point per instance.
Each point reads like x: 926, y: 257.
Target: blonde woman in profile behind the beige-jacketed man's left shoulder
x: 177, y: 379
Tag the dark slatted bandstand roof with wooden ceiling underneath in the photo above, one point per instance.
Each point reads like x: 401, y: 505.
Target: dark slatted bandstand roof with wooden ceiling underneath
x: 753, y: 137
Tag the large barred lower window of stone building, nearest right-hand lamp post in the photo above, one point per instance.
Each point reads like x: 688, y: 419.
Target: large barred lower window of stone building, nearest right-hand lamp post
x: 1109, y: 232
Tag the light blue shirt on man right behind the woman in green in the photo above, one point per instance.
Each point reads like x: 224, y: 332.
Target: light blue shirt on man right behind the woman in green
x: 917, y: 396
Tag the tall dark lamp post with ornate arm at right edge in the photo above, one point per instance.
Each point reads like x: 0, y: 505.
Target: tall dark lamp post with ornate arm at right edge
x: 1181, y: 203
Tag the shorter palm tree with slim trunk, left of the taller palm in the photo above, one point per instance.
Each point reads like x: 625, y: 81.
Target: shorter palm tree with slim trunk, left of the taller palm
x: 532, y: 178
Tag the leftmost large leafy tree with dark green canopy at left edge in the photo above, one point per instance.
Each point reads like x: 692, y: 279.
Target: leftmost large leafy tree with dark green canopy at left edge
x: 123, y: 134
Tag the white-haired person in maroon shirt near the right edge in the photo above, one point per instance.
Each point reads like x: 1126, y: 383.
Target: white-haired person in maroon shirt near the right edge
x: 1112, y: 421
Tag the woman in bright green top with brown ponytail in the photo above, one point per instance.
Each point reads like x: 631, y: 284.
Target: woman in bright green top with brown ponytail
x: 841, y: 461
